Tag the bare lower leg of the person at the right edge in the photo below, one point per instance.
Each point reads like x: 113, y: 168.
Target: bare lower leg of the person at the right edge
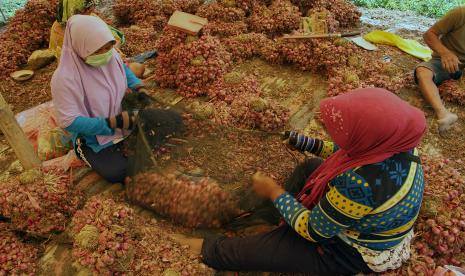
x: 428, y: 76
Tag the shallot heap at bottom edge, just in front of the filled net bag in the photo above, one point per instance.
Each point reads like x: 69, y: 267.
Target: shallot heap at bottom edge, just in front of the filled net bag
x: 109, y: 238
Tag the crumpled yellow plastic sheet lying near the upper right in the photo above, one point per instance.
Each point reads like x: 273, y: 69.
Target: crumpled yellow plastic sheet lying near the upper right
x: 411, y: 47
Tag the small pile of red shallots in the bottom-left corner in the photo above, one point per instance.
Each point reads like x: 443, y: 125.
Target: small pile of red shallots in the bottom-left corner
x: 16, y: 256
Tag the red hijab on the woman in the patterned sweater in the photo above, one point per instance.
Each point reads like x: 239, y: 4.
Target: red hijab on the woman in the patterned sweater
x: 369, y: 125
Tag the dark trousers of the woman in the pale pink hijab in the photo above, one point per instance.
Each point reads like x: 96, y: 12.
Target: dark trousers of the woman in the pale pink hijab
x: 110, y: 163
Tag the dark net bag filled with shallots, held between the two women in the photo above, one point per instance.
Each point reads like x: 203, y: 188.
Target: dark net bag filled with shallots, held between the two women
x: 199, y: 203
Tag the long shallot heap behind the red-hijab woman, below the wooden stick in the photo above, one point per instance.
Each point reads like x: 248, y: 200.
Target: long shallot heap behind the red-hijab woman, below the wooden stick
x: 346, y: 66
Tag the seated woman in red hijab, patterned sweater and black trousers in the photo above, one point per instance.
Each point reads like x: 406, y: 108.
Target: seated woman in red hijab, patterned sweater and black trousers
x: 351, y: 213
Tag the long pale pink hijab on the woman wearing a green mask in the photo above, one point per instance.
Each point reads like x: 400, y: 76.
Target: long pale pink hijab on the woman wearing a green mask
x: 79, y: 89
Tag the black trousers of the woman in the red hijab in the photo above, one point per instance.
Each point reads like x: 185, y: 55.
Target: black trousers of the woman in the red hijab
x: 283, y: 250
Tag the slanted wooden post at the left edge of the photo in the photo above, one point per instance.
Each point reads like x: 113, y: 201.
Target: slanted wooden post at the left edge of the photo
x: 16, y: 137
